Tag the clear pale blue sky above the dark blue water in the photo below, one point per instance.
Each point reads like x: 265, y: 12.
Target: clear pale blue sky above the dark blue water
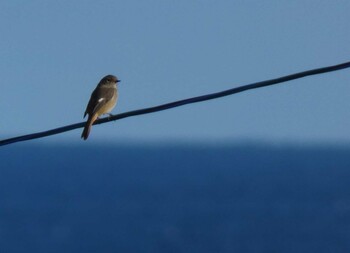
x: 53, y: 54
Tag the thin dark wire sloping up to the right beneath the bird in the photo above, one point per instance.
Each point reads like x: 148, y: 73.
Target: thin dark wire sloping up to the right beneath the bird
x: 178, y: 103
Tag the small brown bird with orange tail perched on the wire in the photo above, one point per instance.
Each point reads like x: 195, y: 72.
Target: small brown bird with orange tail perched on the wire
x: 103, y: 99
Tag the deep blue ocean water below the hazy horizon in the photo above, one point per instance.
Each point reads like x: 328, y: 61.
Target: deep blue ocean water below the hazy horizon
x: 174, y: 197
